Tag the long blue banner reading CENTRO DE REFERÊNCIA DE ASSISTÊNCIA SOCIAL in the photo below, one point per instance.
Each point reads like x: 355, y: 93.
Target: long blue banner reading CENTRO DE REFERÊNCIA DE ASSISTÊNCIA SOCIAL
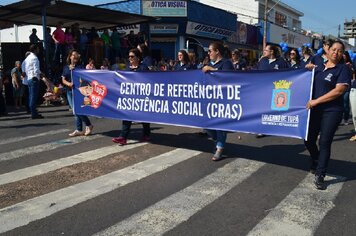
x: 266, y: 102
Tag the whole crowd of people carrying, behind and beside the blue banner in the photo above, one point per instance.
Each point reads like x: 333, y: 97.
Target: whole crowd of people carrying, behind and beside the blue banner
x: 334, y: 90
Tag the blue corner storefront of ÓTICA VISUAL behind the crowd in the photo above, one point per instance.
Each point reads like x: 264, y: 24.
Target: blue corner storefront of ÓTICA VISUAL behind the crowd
x: 180, y: 25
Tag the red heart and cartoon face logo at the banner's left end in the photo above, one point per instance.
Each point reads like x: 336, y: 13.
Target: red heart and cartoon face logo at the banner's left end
x: 93, y: 93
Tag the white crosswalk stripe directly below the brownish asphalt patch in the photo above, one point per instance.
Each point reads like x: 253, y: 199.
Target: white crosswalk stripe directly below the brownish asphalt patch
x: 40, y: 207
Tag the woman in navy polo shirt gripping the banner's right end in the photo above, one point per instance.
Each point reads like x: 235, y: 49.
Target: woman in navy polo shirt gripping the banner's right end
x: 331, y: 80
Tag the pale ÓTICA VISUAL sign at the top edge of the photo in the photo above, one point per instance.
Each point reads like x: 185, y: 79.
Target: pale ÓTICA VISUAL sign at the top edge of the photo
x: 167, y: 8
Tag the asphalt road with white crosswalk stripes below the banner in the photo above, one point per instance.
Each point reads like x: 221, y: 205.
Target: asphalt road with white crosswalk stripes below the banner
x: 51, y: 184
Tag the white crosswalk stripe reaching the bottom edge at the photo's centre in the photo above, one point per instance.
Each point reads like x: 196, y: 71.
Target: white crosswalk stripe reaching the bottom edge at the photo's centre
x: 179, y: 207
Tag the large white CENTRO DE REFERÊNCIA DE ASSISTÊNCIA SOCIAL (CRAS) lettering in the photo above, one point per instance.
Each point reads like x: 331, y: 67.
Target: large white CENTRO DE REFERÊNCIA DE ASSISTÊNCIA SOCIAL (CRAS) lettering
x: 150, y: 102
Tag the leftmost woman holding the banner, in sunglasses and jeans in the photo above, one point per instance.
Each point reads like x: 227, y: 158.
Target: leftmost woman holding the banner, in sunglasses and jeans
x: 73, y: 63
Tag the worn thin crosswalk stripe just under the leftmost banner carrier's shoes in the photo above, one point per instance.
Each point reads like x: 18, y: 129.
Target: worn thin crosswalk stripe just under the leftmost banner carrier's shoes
x: 46, y: 147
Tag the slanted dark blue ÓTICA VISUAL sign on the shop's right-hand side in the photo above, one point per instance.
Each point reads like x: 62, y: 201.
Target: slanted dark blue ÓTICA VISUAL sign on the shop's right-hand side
x: 208, y: 31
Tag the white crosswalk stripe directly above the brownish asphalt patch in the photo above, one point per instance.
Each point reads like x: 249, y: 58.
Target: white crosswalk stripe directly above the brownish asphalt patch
x: 63, y: 162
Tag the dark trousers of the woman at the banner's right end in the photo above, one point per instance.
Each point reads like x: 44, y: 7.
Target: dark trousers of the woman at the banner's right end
x: 323, y: 123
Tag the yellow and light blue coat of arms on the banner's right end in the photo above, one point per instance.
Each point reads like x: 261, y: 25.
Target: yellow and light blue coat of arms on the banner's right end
x: 281, y: 95
